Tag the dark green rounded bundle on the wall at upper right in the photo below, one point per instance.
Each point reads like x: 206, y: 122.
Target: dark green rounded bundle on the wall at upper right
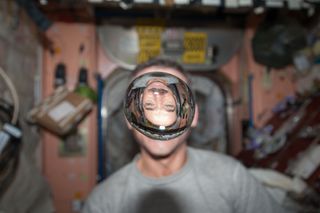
x: 275, y: 42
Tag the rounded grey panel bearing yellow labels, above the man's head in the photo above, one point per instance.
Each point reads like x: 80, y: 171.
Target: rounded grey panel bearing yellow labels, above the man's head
x: 196, y: 48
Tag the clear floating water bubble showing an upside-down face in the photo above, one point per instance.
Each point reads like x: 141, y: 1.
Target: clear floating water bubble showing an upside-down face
x: 159, y: 105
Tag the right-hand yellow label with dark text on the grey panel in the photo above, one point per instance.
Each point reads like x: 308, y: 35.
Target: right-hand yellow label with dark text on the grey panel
x: 195, y: 45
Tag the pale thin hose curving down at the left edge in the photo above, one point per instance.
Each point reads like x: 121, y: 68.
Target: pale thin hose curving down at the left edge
x: 14, y: 96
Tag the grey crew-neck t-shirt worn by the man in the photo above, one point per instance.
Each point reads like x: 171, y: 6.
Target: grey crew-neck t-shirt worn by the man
x: 208, y: 182
